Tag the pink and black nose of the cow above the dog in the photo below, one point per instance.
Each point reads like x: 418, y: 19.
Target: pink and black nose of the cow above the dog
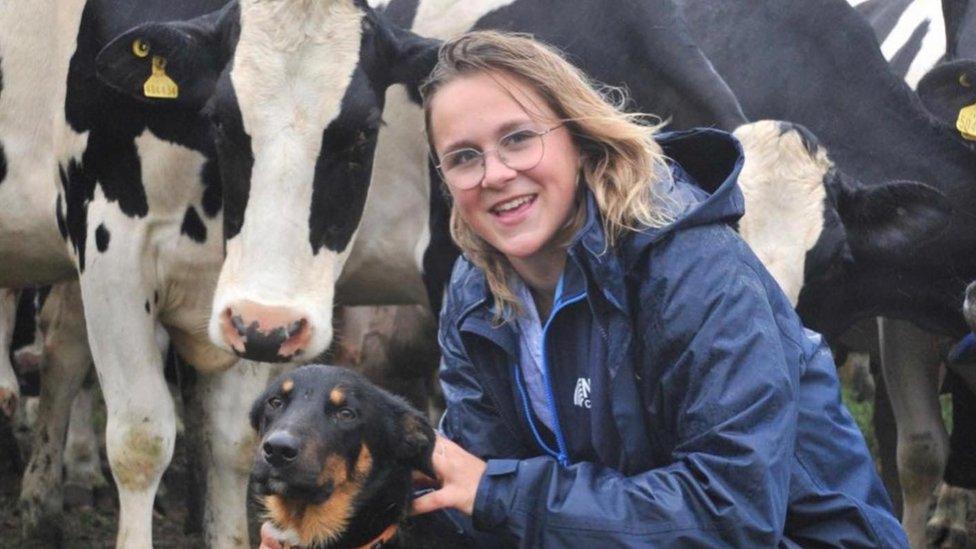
x: 265, y: 333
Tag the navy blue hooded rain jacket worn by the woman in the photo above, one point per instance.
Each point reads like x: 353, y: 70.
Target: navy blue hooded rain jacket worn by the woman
x: 694, y: 410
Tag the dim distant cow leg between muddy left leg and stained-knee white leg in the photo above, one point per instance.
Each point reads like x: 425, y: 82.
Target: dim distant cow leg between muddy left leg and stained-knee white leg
x: 82, y: 466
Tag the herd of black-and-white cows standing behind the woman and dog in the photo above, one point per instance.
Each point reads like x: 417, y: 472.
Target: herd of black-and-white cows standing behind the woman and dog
x: 234, y: 171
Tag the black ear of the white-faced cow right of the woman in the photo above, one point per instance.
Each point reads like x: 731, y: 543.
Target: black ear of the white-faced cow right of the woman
x: 890, y: 219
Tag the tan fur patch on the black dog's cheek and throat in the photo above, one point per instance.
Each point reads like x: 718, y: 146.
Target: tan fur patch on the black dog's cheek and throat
x: 325, y: 522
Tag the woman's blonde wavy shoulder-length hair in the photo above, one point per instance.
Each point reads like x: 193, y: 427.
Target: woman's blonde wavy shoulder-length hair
x: 621, y: 163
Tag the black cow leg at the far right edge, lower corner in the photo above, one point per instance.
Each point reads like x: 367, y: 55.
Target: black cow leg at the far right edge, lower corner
x: 956, y: 497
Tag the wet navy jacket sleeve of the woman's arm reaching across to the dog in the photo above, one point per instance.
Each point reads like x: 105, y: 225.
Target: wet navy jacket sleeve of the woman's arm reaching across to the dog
x: 726, y: 405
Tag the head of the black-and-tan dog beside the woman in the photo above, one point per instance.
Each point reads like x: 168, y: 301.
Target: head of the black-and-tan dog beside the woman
x: 336, y: 455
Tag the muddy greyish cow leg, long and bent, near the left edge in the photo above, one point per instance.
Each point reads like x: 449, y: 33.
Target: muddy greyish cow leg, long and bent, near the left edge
x: 66, y: 363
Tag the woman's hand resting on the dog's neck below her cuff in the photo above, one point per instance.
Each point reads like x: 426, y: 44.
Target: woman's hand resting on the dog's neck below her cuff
x: 459, y: 474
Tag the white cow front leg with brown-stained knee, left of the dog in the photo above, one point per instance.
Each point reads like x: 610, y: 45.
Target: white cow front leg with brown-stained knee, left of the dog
x: 119, y: 285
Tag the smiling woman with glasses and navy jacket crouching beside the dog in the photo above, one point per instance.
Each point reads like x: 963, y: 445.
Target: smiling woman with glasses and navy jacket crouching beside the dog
x: 619, y: 368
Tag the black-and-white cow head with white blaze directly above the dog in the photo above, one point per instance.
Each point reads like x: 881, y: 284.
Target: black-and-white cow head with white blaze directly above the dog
x: 295, y: 91
